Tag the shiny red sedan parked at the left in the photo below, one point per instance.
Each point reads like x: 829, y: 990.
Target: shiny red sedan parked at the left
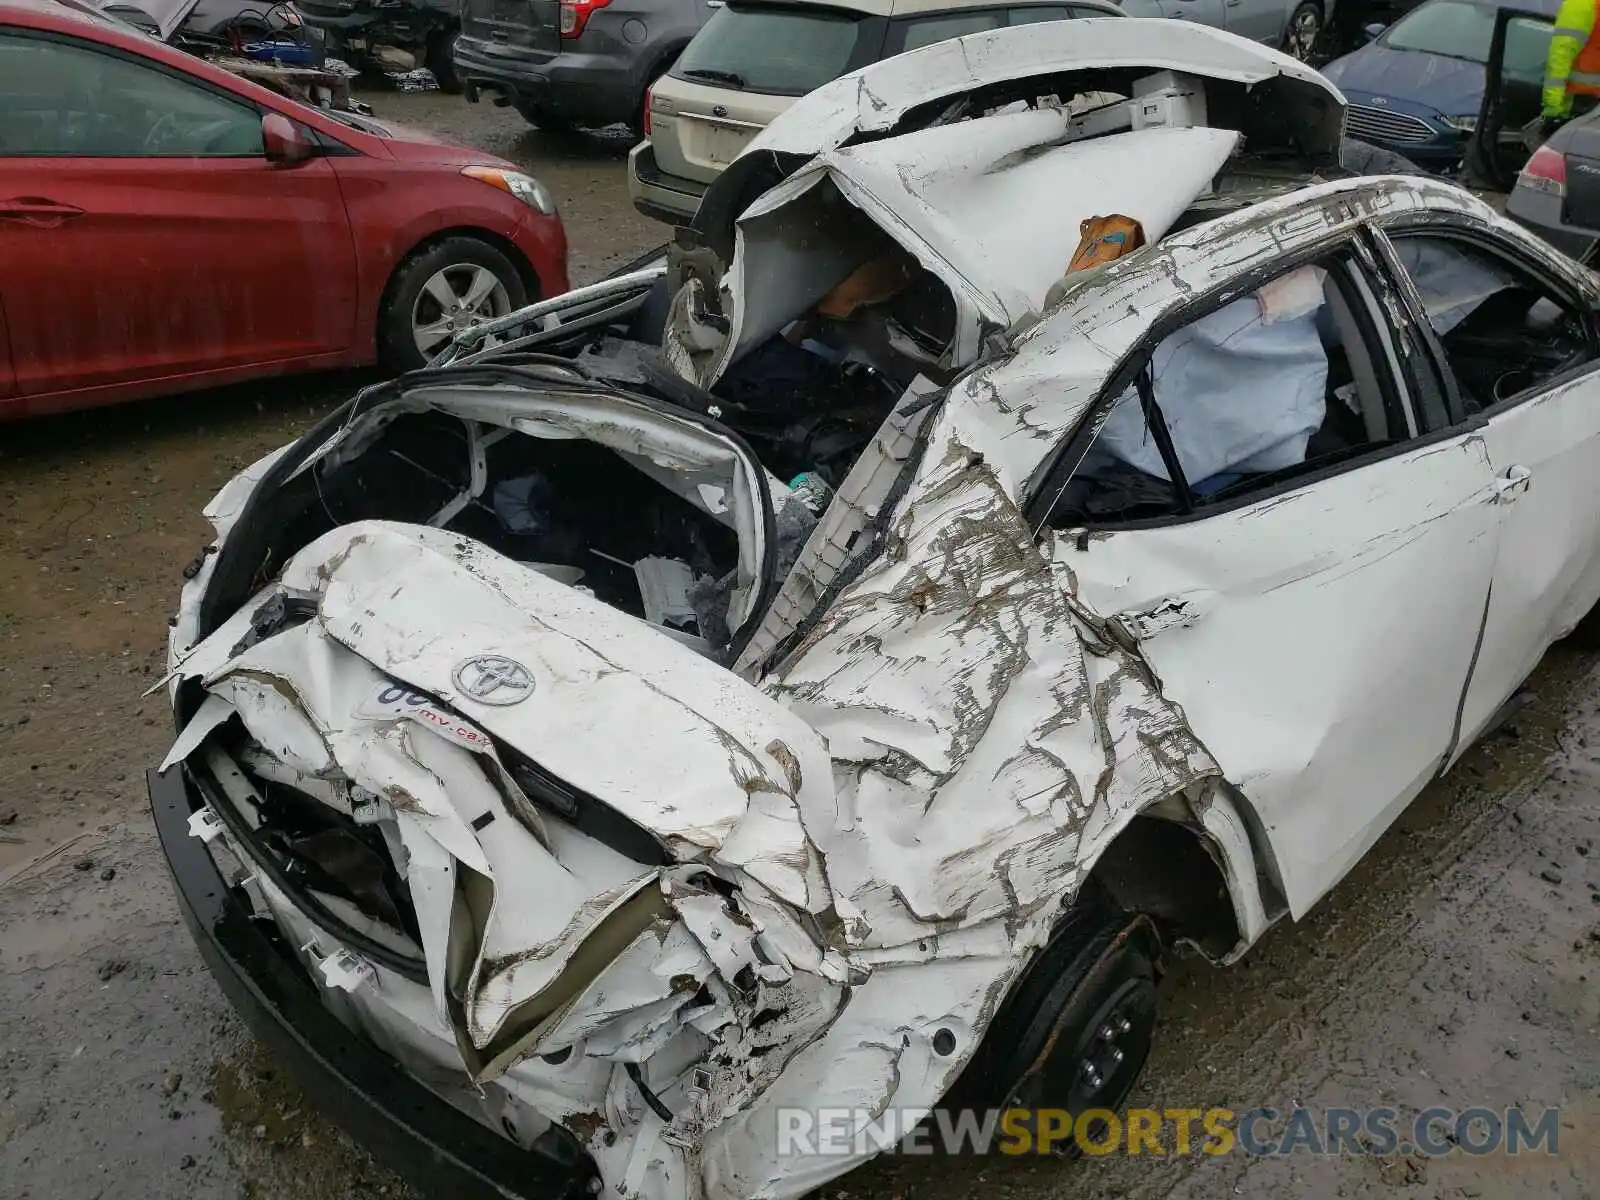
x: 169, y: 226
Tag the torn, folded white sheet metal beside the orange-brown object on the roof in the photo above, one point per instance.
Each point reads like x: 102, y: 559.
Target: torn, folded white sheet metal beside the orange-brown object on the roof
x: 964, y: 202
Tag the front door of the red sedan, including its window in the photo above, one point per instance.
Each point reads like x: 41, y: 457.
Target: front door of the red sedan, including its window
x: 143, y: 231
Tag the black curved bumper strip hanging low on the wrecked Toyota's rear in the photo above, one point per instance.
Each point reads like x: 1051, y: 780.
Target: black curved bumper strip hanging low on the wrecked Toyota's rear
x: 409, y: 1129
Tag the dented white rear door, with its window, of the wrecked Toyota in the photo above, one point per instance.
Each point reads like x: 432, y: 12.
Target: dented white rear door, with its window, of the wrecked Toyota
x: 1298, y: 540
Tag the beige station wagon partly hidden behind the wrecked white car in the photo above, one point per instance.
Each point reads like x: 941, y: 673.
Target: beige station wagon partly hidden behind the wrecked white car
x: 754, y: 58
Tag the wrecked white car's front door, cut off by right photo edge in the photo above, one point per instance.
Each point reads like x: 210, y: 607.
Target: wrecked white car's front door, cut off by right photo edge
x: 1519, y: 346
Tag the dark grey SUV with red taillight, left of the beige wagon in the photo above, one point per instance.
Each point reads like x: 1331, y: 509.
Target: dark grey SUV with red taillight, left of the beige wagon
x: 574, y: 63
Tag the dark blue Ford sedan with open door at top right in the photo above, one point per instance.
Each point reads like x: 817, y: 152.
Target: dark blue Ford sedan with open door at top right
x: 1417, y: 87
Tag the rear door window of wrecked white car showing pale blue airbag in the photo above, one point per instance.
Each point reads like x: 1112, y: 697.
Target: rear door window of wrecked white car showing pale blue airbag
x: 1262, y: 390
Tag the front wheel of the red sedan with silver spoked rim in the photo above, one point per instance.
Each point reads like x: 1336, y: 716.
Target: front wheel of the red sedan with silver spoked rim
x: 412, y: 298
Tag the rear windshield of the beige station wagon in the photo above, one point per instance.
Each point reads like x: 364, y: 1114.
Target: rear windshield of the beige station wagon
x: 785, y: 52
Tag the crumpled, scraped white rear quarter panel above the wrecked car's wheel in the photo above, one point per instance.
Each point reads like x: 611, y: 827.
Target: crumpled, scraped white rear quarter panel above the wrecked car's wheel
x: 975, y: 745
